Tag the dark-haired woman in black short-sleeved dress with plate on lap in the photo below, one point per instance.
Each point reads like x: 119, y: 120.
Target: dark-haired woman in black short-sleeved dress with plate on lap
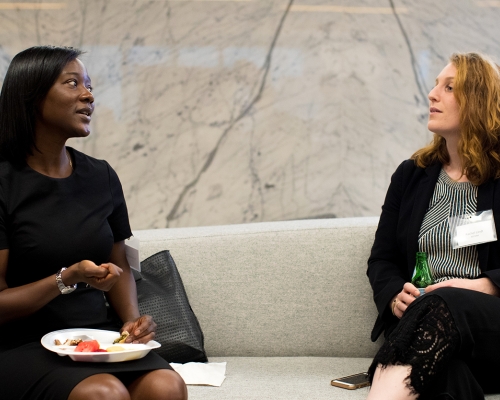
x: 63, y: 222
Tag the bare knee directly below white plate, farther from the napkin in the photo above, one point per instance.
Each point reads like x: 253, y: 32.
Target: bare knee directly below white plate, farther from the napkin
x: 100, y: 386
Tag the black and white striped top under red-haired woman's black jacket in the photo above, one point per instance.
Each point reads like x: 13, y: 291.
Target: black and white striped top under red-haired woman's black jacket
x: 450, y: 199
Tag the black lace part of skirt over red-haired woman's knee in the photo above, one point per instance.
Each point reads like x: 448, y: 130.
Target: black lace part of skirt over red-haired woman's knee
x: 426, y: 339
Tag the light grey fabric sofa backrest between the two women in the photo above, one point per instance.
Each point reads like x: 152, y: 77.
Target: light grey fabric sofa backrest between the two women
x: 295, y: 288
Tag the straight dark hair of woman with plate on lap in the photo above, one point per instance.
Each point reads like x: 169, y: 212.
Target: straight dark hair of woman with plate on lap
x: 30, y: 76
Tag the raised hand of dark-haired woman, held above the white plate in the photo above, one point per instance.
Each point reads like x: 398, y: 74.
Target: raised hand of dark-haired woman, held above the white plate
x: 101, y: 277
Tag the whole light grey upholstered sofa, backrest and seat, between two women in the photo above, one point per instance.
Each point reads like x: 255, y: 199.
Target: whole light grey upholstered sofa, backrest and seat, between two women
x: 286, y: 304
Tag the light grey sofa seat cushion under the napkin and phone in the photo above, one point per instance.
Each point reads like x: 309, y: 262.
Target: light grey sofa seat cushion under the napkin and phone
x: 286, y: 378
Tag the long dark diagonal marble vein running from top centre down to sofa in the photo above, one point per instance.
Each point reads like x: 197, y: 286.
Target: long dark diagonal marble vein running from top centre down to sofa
x: 267, y: 64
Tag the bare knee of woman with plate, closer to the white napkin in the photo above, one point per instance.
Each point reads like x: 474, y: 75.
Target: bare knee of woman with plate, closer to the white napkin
x: 162, y: 384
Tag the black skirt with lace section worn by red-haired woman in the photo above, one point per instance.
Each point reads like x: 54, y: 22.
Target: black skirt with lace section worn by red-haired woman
x: 451, y: 339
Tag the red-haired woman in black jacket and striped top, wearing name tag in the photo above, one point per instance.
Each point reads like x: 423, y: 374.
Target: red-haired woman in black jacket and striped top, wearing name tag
x: 444, y: 344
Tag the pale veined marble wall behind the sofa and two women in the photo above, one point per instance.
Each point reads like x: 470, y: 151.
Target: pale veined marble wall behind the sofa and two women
x: 220, y: 112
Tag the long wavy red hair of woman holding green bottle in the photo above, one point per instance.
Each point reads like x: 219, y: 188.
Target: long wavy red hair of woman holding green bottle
x: 477, y: 91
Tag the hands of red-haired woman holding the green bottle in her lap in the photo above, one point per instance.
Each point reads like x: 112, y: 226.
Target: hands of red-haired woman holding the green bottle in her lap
x: 403, y: 299
